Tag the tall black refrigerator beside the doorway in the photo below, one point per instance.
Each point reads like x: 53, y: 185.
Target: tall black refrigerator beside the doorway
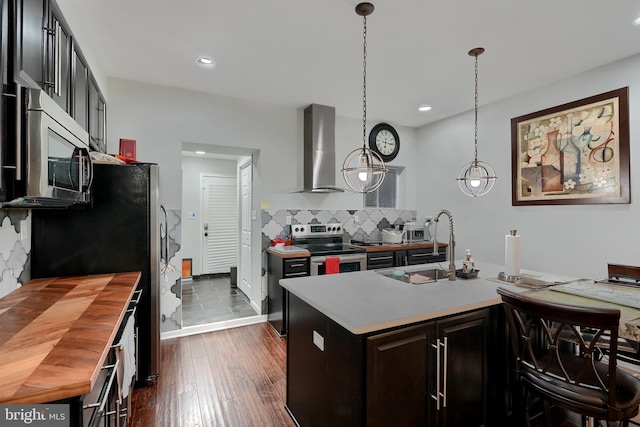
x: 122, y: 230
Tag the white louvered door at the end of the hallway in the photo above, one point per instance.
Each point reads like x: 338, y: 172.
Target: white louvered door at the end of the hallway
x: 220, y: 224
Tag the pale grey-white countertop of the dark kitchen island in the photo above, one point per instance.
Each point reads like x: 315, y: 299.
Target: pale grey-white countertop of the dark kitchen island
x: 366, y: 301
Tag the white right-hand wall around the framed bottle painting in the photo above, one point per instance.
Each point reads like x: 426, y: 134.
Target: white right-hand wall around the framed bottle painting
x: 575, y: 240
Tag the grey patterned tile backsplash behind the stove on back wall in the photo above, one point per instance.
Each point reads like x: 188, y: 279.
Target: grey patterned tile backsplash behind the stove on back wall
x: 364, y: 224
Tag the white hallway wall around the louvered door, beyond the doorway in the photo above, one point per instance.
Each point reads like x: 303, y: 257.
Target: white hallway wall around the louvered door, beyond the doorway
x: 192, y: 170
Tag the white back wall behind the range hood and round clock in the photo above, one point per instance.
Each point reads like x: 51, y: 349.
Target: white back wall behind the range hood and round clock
x: 161, y: 119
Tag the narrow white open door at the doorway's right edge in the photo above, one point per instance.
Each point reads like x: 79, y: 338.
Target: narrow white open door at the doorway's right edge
x: 245, y: 231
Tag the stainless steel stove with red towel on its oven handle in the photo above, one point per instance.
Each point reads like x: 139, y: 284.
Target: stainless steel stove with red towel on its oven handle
x: 324, y: 241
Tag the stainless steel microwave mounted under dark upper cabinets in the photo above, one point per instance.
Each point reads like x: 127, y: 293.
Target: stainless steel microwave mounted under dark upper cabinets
x: 53, y: 167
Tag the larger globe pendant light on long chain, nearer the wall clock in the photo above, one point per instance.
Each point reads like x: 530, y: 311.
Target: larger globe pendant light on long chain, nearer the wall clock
x: 363, y: 169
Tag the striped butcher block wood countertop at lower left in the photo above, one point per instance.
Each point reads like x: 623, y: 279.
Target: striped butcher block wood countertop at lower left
x: 55, y: 334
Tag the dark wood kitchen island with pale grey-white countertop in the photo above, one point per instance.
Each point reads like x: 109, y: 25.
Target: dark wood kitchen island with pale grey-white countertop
x: 366, y: 349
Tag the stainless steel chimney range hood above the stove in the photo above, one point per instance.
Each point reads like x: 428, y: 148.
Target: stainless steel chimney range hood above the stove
x: 319, y: 150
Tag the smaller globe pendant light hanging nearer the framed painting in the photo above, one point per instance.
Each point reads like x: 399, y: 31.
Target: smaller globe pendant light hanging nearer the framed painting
x: 476, y: 178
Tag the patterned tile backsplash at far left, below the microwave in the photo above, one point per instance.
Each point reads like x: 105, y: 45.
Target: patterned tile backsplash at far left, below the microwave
x: 15, y: 246
